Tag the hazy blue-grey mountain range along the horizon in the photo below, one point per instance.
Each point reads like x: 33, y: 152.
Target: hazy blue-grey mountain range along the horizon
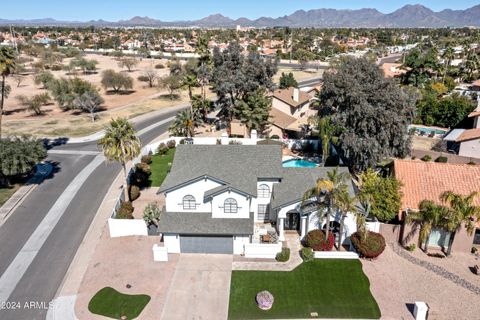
x: 409, y: 16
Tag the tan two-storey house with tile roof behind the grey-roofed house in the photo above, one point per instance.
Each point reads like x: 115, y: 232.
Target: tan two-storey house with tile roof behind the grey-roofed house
x: 290, y: 112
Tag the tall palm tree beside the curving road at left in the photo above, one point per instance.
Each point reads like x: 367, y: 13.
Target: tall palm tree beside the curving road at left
x: 120, y: 144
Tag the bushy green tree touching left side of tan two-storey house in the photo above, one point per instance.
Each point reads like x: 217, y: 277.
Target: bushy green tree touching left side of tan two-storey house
x: 254, y: 111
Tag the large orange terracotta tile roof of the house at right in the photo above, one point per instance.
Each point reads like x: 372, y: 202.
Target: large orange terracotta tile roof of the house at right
x: 428, y: 180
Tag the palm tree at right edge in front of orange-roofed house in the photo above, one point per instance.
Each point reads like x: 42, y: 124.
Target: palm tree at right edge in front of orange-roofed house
x: 462, y: 212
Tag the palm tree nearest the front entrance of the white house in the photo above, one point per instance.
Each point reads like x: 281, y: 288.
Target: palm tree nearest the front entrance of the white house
x: 325, y: 193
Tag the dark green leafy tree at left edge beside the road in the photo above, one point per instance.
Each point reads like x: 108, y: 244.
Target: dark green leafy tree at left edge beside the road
x: 18, y: 156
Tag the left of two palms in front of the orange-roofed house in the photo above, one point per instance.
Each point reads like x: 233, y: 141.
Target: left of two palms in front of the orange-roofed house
x: 429, y: 216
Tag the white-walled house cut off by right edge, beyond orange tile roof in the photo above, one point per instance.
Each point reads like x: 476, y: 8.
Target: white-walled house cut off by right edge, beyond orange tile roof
x: 466, y: 142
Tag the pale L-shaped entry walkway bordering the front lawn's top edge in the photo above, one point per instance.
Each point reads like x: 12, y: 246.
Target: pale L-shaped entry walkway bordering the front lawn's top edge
x: 292, y: 242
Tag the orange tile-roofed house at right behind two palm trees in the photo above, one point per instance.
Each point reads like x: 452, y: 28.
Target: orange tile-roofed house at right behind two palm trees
x: 427, y: 181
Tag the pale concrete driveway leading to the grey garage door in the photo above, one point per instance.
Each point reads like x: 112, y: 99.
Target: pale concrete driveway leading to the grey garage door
x: 200, y: 288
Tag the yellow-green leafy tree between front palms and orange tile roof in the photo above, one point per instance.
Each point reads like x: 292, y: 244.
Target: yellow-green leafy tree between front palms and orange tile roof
x: 383, y: 194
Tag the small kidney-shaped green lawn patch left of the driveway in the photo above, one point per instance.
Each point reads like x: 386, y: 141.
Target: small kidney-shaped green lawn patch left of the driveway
x: 109, y: 302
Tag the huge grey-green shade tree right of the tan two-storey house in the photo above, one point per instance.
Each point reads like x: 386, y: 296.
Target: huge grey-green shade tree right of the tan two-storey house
x: 371, y: 113
